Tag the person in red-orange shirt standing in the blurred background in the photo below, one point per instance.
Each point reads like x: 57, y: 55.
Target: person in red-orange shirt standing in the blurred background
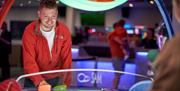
x: 117, y: 50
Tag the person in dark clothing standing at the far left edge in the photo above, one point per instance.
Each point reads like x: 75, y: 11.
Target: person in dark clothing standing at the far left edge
x: 5, y: 51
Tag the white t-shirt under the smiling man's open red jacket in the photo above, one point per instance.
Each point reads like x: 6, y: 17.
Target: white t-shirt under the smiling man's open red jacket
x: 49, y: 37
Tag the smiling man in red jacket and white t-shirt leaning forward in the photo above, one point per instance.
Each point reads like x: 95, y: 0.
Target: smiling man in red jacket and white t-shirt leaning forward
x: 47, y: 46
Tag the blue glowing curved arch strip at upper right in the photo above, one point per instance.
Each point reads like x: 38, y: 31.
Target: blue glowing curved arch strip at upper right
x: 166, y: 17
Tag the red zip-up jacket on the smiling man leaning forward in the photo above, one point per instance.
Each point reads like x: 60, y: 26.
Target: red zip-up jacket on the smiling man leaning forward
x: 36, y: 55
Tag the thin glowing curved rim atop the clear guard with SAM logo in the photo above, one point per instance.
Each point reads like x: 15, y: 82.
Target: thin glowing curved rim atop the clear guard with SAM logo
x: 70, y: 70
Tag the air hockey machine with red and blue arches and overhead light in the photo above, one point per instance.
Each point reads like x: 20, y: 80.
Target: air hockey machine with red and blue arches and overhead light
x: 86, y: 79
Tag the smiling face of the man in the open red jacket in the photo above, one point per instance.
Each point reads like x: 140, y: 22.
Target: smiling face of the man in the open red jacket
x: 48, y: 17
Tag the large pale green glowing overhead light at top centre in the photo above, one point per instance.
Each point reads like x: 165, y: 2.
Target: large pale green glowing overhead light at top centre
x: 92, y: 6
